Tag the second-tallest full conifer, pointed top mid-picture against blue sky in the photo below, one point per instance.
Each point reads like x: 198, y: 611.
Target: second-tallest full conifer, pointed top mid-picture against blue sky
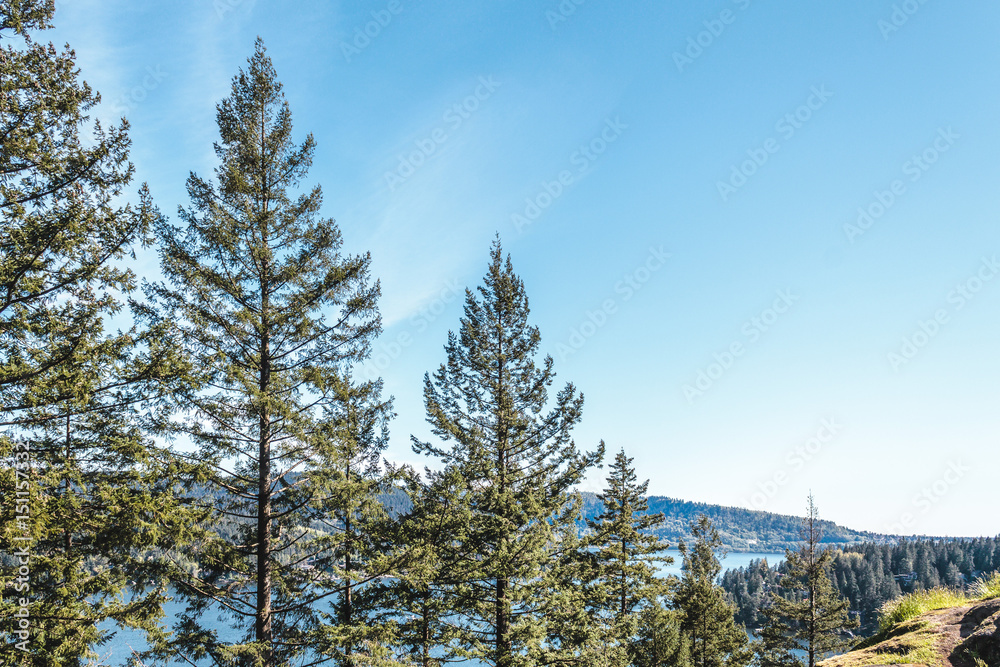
x: 517, y: 459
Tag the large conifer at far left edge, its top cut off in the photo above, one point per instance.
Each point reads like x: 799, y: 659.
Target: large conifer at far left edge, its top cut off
x: 74, y: 396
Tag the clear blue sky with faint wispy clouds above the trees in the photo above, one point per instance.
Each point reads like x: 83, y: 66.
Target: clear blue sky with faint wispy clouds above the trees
x: 759, y: 237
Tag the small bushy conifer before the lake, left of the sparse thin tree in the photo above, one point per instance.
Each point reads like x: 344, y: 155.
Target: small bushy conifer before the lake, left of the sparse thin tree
x: 707, y: 617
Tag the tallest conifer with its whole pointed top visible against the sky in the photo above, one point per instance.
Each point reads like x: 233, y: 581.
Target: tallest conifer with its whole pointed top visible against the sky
x: 272, y: 314
